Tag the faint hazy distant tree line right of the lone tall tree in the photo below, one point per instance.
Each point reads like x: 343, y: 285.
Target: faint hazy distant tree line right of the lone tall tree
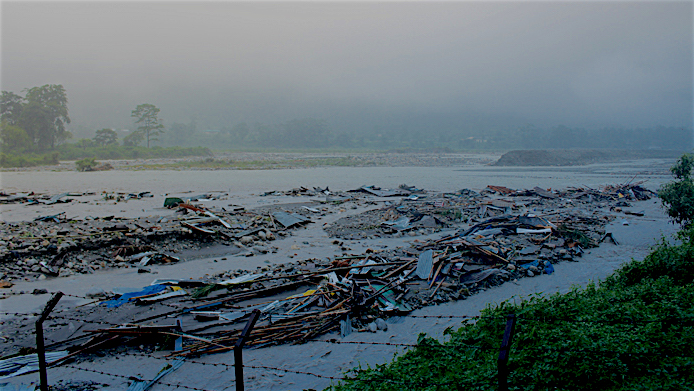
x: 318, y: 133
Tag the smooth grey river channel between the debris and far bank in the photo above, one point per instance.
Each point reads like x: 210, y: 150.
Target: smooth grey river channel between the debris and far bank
x: 653, y: 171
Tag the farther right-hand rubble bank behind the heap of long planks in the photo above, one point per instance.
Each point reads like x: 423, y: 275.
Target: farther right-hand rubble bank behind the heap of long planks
x: 420, y: 212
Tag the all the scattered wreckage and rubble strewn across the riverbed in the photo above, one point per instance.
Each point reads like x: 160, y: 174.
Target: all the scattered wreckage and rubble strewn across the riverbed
x: 492, y: 236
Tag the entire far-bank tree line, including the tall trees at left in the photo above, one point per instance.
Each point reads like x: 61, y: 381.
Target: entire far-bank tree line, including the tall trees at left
x: 37, y: 122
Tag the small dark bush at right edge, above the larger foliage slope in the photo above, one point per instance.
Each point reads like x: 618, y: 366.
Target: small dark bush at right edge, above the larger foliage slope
x: 678, y: 196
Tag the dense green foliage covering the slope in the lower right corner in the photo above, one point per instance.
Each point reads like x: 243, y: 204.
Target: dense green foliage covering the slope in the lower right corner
x: 631, y: 332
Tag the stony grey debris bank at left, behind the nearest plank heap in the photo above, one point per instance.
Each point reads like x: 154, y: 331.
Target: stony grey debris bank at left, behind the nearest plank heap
x: 57, y: 246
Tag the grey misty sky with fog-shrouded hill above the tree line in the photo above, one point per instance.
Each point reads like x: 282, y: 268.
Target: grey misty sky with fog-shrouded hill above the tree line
x: 547, y: 63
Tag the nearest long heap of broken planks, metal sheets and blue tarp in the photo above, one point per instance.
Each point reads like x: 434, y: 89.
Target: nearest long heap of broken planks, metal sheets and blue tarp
x: 303, y: 300
